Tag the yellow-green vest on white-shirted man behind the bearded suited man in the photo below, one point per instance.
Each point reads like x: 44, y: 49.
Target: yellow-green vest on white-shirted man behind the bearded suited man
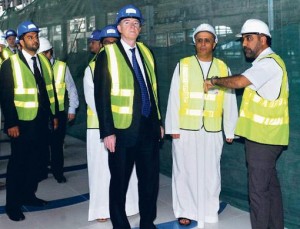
x: 59, y: 71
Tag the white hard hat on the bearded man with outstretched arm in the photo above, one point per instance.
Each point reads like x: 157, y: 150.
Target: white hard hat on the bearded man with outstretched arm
x: 254, y: 26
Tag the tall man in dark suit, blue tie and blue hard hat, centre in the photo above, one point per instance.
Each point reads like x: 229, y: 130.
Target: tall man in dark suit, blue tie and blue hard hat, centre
x: 130, y: 123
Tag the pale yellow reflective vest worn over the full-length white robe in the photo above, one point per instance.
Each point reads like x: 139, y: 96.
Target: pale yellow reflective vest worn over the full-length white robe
x: 198, y: 109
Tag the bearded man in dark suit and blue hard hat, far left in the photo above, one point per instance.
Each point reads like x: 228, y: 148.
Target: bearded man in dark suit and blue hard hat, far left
x: 28, y: 103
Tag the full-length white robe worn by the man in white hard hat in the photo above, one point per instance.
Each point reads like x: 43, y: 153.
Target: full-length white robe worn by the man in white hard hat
x: 196, y: 179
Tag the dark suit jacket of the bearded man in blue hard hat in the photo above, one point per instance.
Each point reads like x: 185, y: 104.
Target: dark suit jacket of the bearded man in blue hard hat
x: 27, y: 128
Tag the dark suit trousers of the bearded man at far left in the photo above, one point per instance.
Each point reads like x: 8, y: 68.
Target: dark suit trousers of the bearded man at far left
x: 24, y: 168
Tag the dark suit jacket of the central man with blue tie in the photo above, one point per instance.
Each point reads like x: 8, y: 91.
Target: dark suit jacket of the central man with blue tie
x: 102, y: 85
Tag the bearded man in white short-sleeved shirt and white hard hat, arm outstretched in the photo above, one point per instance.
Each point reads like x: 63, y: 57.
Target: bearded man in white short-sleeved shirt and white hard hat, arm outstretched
x: 263, y: 121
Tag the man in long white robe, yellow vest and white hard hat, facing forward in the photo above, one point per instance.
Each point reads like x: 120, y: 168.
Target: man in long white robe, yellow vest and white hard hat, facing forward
x: 194, y: 121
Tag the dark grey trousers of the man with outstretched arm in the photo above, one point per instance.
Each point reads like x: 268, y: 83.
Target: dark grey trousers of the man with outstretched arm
x: 266, y: 209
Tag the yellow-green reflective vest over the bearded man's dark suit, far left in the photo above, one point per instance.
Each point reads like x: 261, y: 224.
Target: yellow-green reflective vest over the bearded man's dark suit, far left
x: 25, y: 91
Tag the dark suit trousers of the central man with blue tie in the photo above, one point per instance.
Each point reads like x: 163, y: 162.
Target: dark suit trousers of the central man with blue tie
x: 145, y: 155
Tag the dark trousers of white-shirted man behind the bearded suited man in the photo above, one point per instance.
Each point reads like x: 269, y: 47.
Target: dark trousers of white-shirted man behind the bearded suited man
x: 56, y: 146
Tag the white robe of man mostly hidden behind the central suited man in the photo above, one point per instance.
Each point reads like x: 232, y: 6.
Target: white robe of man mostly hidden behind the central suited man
x: 98, y: 170
